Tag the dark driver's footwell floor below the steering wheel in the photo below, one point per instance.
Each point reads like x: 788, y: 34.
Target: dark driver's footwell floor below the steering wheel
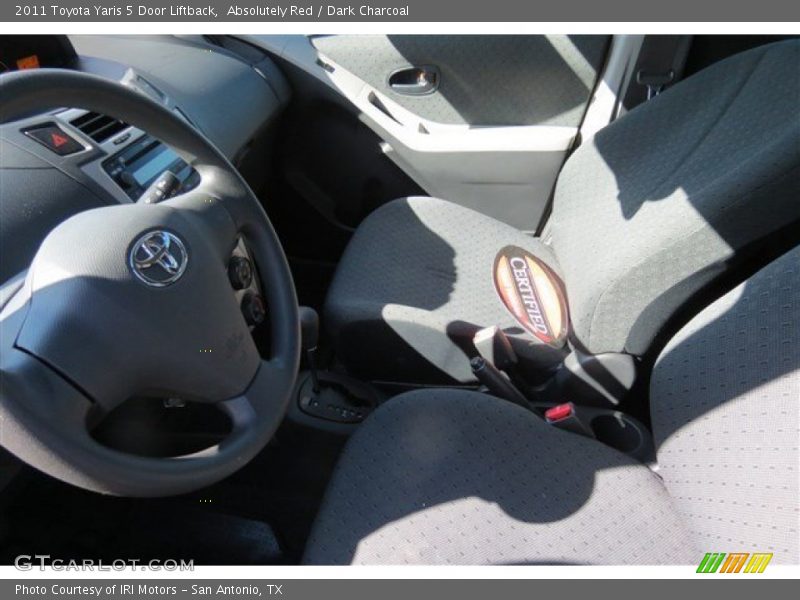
x: 260, y: 515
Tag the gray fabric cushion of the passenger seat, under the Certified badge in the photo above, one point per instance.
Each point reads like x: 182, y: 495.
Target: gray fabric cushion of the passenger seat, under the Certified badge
x: 416, y: 284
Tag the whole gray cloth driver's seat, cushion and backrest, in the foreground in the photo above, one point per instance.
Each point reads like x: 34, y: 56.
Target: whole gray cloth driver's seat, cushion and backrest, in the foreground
x: 453, y: 476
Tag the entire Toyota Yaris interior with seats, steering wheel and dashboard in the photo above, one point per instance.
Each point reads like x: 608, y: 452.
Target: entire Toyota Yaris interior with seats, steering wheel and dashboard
x: 400, y: 299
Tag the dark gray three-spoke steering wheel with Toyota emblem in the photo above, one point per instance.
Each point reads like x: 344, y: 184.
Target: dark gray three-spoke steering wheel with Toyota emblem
x: 134, y: 300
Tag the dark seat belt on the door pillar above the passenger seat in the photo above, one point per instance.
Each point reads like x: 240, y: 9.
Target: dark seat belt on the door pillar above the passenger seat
x: 660, y: 65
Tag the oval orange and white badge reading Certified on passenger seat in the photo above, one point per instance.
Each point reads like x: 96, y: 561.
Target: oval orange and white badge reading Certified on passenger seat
x: 532, y: 294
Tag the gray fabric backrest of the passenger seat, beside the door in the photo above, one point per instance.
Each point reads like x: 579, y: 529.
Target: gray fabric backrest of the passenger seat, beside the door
x: 651, y: 209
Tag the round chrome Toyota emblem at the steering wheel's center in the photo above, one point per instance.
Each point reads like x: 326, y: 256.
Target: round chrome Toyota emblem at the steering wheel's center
x: 158, y: 258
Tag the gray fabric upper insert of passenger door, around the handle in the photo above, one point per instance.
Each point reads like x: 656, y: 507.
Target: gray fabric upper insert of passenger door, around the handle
x: 485, y: 80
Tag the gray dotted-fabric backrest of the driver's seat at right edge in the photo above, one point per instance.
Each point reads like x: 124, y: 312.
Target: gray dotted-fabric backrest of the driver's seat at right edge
x: 725, y: 405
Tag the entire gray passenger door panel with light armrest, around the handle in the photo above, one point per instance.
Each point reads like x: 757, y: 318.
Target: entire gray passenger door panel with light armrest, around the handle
x: 496, y: 128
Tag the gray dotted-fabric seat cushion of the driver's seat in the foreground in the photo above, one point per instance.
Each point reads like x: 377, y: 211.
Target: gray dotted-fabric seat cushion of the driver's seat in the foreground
x: 458, y: 477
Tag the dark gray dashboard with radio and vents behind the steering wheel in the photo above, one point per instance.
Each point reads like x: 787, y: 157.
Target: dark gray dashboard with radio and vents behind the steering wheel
x: 57, y: 164
